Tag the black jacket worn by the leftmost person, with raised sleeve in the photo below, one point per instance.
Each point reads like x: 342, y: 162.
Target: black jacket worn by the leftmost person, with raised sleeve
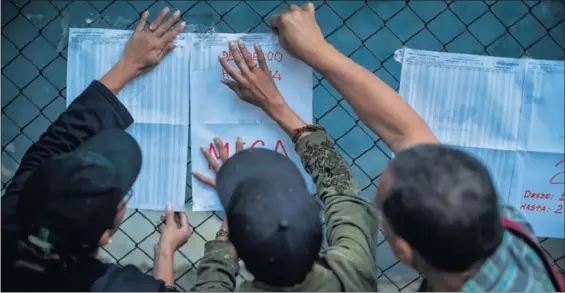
x: 96, y: 109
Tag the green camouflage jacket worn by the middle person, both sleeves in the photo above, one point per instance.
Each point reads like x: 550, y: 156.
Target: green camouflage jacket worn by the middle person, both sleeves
x: 348, y: 264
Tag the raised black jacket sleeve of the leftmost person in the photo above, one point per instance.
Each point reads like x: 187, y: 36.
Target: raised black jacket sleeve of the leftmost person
x: 96, y: 109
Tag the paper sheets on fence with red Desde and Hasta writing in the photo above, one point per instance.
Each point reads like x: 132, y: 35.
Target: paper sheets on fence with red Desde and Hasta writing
x: 508, y: 113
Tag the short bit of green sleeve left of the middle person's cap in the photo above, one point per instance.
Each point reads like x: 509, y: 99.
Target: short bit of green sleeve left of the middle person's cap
x: 218, y: 268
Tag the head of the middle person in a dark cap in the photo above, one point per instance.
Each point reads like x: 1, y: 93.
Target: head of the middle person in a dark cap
x: 274, y: 222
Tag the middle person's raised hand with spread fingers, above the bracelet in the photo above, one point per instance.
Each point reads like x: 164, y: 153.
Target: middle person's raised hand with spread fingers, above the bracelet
x: 254, y: 82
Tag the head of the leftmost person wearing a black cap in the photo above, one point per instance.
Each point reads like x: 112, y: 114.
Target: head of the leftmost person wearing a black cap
x: 75, y: 201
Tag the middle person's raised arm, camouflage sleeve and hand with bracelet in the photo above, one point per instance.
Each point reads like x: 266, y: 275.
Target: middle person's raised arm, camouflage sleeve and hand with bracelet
x: 351, y: 220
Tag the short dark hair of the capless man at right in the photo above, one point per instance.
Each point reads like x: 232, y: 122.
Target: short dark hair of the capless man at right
x: 444, y: 204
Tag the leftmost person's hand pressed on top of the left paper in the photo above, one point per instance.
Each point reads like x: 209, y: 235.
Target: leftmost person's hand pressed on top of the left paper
x: 146, y: 48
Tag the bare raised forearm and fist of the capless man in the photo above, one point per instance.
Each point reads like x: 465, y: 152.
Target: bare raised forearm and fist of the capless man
x: 376, y: 104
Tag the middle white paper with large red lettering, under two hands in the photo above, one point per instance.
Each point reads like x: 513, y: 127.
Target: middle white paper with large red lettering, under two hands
x: 217, y: 112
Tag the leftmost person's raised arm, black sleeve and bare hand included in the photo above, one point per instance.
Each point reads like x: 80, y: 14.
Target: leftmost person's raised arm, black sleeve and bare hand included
x: 96, y: 109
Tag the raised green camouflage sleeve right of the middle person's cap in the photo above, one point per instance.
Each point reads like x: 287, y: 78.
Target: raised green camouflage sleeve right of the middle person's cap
x: 351, y: 220
